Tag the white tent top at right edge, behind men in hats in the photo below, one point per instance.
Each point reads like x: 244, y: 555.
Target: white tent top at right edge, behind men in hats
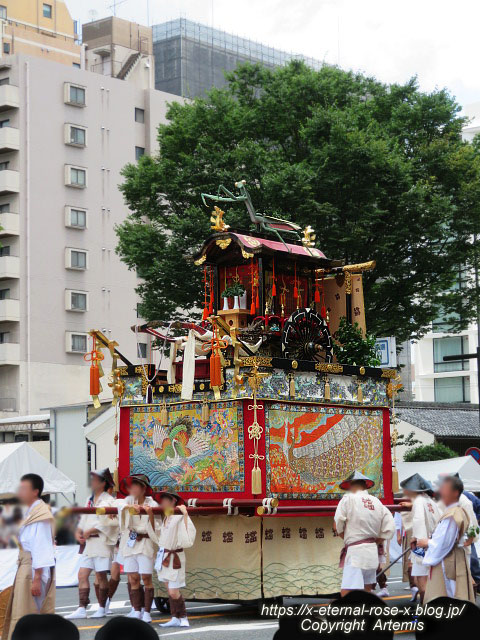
x: 467, y: 468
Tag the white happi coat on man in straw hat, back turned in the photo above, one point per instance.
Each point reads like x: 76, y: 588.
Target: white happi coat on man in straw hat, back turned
x: 359, y: 516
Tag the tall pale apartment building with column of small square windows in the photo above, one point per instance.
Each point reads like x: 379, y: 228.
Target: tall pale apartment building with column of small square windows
x: 65, y: 136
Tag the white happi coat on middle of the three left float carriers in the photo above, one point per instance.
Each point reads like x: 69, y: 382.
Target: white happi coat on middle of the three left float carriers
x: 139, y: 523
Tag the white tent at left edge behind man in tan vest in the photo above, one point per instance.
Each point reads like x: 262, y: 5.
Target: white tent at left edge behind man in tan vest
x: 19, y: 458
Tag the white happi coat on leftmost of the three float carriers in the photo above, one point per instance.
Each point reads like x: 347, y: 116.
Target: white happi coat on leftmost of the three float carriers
x: 107, y: 527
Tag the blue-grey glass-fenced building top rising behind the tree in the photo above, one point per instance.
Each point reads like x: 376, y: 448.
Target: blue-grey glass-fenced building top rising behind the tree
x: 191, y: 58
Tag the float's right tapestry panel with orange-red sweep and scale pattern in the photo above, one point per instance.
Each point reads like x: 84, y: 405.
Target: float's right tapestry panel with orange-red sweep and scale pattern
x: 310, y: 450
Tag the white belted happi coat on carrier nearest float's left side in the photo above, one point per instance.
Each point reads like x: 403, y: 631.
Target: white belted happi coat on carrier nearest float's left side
x: 173, y: 533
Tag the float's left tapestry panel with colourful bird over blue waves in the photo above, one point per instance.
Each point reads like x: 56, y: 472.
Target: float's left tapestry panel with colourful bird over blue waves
x: 189, y: 454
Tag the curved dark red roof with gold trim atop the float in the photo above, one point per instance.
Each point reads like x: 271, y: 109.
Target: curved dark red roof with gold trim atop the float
x: 223, y: 247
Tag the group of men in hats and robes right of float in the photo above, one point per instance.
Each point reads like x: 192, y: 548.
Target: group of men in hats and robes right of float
x: 437, y: 530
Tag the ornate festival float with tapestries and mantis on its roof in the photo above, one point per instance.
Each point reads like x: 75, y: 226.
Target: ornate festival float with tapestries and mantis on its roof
x: 253, y: 420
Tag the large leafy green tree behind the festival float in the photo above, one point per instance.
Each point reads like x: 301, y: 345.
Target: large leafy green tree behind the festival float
x: 380, y: 171
